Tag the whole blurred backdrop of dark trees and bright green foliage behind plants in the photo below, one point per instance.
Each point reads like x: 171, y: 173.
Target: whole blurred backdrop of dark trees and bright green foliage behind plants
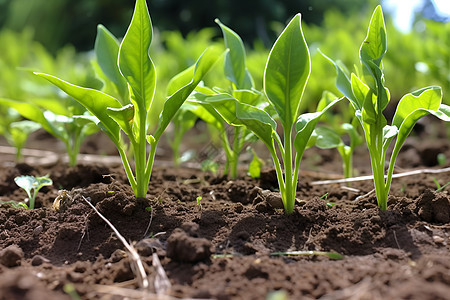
x: 56, y: 36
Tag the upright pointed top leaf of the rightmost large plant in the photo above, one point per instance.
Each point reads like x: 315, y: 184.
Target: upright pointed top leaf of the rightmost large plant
x: 375, y: 44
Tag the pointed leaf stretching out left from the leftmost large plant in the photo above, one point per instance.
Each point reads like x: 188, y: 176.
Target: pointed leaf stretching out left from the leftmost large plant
x: 94, y: 101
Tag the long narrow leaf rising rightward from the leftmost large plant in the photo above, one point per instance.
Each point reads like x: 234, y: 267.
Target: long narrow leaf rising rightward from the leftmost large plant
x: 174, y: 102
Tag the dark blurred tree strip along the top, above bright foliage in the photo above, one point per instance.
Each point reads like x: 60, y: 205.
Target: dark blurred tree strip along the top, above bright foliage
x: 59, y: 22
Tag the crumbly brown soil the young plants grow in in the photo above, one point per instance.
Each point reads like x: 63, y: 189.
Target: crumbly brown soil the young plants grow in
x: 225, y: 247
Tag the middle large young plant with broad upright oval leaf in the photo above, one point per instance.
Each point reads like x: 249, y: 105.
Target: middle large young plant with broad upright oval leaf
x: 285, y: 77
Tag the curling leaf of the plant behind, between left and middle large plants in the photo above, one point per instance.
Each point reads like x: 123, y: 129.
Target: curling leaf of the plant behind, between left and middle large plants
x: 235, y: 66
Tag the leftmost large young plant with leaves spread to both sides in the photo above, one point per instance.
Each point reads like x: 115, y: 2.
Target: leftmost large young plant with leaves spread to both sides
x: 131, y: 117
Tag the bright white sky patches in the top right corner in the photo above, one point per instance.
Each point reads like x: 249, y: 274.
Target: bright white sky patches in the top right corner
x: 403, y: 11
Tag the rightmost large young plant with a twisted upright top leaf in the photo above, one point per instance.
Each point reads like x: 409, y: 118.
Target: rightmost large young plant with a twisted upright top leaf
x: 369, y: 97
